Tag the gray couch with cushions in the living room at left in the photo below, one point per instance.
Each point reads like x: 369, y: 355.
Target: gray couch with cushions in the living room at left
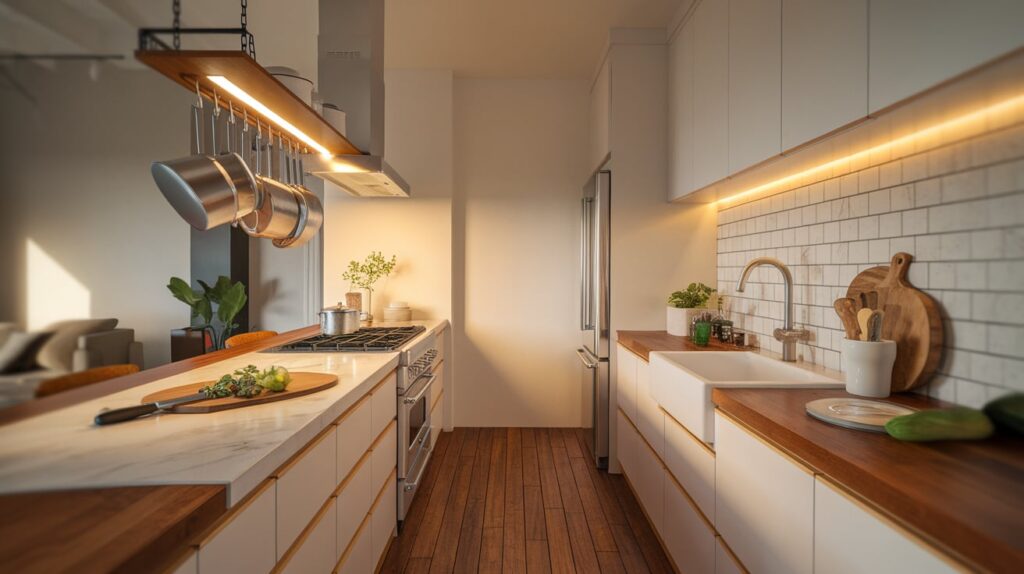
x: 76, y: 345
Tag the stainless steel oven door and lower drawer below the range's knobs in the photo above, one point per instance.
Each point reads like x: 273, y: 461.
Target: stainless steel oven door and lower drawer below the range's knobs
x: 415, y: 440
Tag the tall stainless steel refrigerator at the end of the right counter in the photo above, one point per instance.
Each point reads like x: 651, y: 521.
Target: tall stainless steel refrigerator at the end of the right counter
x: 595, y: 312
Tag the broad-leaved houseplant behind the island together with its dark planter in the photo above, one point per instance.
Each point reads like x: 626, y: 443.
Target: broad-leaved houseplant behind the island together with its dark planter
x: 206, y: 334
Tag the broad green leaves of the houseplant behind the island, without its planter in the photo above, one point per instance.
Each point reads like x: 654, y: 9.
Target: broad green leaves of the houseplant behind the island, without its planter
x: 229, y: 299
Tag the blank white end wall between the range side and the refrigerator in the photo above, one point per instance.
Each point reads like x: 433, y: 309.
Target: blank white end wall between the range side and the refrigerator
x: 521, y: 149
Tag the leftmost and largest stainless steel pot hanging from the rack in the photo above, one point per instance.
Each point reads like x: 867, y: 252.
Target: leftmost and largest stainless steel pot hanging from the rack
x: 207, y: 191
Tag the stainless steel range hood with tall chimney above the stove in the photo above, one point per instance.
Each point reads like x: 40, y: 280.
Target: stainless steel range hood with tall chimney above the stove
x: 351, y: 67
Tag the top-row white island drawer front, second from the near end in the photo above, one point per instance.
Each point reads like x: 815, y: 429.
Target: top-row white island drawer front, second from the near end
x: 304, y: 487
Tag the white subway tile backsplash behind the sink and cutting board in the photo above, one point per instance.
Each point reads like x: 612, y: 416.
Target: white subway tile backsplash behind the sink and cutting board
x: 959, y: 211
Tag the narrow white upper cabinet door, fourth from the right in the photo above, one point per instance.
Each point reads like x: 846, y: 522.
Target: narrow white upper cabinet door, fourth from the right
x: 711, y: 93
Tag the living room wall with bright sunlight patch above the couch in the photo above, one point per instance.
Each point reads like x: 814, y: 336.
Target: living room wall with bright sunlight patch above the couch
x: 75, y: 180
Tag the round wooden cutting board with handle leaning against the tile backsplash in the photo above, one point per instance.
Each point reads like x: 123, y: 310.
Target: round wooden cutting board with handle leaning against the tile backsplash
x: 912, y: 320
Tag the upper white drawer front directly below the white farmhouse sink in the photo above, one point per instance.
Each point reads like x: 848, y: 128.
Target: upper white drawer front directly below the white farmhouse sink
x: 693, y: 463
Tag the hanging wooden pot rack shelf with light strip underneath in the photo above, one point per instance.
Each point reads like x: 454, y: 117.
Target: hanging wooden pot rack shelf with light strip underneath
x: 189, y: 67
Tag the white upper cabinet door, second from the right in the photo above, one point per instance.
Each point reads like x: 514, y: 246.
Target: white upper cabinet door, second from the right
x: 825, y: 67
